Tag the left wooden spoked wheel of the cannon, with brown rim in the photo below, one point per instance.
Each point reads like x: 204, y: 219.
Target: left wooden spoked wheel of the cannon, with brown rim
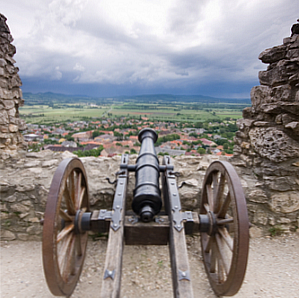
x: 63, y: 246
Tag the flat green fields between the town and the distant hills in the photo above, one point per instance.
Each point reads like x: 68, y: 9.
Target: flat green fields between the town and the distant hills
x: 166, y: 112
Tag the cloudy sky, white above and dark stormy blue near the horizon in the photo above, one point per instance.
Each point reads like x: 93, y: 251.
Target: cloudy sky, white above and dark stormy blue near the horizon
x: 117, y: 47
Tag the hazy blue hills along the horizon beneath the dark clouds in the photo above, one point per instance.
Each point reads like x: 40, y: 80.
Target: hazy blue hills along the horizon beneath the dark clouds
x: 50, y: 98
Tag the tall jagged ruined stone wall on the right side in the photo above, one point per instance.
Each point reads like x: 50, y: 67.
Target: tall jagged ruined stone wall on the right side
x: 267, y: 143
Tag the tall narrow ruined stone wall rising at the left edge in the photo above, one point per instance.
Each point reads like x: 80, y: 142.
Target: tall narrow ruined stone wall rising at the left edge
x: 11, y: 139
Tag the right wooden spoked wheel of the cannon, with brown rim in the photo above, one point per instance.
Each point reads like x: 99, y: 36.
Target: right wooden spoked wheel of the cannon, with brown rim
x: 225, y: 245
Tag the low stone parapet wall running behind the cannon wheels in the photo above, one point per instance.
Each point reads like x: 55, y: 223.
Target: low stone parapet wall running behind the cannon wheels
x: 25, y: 182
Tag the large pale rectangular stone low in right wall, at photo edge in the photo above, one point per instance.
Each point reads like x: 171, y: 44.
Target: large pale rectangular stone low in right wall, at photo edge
x: 284, y: 202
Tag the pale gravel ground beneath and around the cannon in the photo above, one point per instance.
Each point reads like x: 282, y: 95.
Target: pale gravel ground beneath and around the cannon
x: 272, y: 270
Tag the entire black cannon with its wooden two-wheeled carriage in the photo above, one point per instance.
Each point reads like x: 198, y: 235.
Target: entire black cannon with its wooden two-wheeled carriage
x: 158, y: 219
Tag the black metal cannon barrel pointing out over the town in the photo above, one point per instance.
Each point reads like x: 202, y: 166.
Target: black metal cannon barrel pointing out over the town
x: 147, y: 200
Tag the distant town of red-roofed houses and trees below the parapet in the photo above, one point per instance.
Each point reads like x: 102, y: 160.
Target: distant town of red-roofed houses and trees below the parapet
x: 114, y: 136
